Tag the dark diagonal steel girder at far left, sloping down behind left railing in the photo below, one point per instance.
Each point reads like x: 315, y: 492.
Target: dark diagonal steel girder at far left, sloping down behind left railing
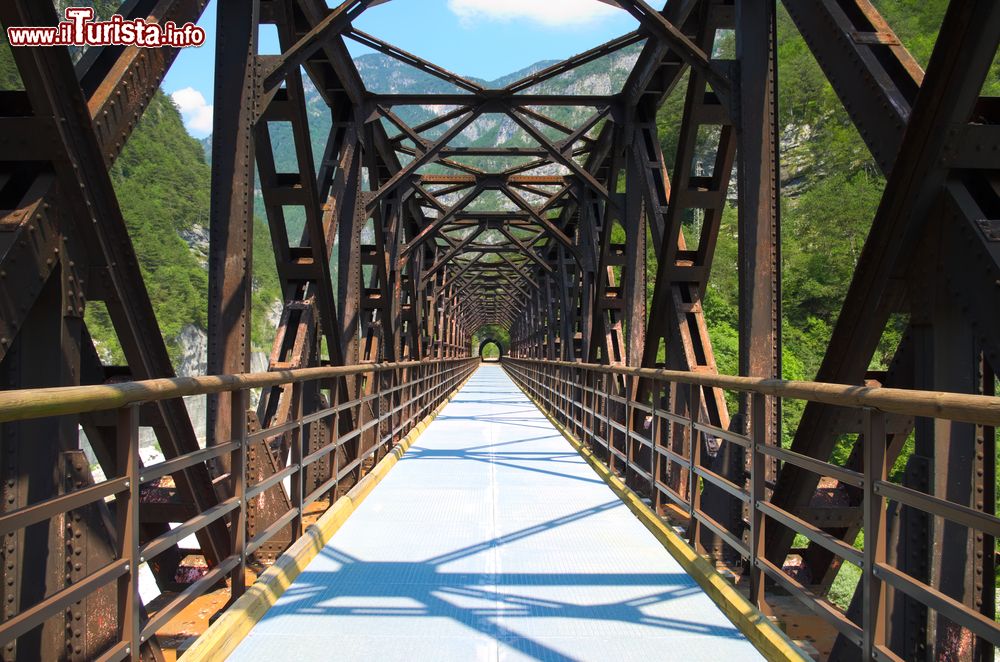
x: 52, y: 90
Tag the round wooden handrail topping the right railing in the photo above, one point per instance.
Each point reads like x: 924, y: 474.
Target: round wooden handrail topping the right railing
x: 975, y: 409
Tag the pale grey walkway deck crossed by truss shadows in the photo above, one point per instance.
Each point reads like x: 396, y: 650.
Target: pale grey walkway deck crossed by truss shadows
x: 492, y: 539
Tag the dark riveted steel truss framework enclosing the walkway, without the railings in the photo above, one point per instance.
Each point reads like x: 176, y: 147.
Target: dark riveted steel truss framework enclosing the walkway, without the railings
x: 559, y: 259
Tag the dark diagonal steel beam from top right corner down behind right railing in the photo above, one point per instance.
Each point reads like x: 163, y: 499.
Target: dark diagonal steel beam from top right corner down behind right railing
x: 948, y: 96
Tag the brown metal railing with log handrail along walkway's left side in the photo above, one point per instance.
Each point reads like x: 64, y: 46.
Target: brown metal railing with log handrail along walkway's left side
x: 389, y: 400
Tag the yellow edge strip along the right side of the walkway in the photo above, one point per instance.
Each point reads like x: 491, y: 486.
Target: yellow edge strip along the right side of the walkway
x: 767, y: 637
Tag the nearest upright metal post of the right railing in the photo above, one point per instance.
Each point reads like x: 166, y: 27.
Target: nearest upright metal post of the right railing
x: 874, y: 605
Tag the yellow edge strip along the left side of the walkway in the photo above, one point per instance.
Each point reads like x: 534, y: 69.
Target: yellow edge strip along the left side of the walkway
x: 223, y: 636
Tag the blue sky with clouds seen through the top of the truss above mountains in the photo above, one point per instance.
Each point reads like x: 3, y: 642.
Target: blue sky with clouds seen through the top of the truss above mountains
x: 485, y: 38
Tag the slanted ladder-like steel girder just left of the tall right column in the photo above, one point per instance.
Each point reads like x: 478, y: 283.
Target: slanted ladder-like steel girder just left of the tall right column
x: 676, y: 319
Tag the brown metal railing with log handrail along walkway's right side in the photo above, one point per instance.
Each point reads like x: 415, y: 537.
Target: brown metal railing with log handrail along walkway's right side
x: 602, y: 407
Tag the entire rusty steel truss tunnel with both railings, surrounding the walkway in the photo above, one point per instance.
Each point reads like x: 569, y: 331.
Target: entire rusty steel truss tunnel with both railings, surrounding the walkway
x: 399, y: 242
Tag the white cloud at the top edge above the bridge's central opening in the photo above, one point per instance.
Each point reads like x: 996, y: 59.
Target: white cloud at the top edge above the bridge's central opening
x: 551, y: 13
